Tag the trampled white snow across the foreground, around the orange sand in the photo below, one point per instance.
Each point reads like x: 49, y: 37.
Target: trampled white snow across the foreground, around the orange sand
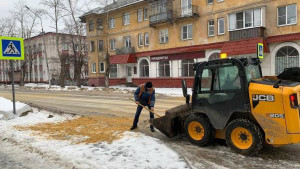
x: 134, y: 150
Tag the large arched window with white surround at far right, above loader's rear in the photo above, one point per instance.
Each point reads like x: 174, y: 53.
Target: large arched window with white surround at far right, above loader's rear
x: 286, y: 57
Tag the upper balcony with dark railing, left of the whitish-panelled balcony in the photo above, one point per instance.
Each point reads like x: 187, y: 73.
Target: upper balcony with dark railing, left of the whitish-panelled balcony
x: 162, y: 17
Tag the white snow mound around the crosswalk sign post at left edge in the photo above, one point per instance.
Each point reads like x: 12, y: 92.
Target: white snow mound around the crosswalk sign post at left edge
x: 6, y: 109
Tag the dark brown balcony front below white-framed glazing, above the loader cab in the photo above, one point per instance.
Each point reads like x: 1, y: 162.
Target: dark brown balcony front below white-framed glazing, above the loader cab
x: 246, y: 33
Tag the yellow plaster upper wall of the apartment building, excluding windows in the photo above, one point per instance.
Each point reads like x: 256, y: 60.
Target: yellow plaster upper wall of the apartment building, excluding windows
x: 200, y: 25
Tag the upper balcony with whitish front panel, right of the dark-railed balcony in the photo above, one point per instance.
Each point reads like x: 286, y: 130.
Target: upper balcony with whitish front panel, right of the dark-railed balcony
x: 190, y: 11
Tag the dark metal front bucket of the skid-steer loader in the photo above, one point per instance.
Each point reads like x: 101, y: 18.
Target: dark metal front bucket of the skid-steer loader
x: 172, y: 123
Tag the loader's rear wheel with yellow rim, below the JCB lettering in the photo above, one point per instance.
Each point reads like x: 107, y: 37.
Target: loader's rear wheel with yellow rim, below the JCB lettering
x: 244, y: 137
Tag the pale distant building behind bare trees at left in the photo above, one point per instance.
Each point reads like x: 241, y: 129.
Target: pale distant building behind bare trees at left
x: 35, y: 54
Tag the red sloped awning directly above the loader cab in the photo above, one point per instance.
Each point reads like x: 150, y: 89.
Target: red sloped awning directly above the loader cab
x: 241, y: 47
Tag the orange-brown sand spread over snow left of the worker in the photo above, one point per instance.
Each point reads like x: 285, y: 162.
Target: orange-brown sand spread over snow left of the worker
x: 84, y: 129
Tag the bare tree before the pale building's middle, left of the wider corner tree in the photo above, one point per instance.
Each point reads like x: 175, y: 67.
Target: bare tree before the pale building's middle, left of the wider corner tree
x: 55, y: 13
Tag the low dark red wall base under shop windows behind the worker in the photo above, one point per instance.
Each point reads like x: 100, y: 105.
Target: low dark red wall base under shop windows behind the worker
x: 165, y: 82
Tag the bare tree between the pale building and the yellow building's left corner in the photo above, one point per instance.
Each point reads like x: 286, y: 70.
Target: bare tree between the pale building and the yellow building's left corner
x: 76, y: 29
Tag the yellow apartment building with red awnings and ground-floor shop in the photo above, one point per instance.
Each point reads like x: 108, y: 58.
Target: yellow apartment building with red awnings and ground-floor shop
x: 159, y: 40
